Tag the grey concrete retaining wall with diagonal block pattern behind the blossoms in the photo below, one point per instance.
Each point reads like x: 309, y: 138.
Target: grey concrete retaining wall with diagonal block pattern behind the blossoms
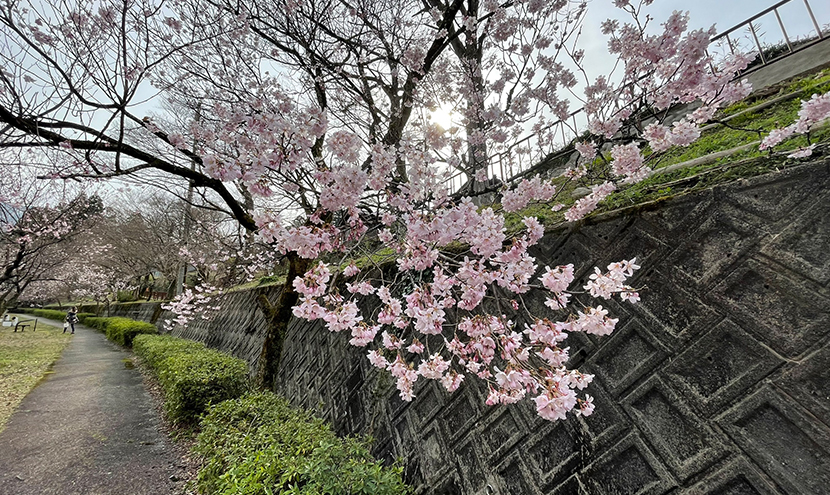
x: 718, y: 382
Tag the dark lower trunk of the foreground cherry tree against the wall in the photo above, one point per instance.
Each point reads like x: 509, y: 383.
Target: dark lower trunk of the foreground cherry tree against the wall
x: 277, y: 317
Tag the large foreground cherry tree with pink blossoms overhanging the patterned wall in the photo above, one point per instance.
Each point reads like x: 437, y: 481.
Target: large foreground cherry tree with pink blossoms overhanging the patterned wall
x: 313, y: 131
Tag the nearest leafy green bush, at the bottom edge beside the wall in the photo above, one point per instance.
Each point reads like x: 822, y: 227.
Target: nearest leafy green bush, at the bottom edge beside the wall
x: 258, y: 444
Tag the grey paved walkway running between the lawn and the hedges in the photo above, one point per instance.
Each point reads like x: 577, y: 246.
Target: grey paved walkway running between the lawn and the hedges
x: 89, y: 428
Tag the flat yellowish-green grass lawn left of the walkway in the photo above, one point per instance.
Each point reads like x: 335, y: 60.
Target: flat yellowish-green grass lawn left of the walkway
x: 25, y: 358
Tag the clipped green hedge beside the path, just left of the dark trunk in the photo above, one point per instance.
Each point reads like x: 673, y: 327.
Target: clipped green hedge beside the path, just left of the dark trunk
x: 193, y: 378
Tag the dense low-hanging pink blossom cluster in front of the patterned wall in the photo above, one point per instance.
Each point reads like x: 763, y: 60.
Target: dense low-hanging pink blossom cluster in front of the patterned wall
x: 442, y: 327
